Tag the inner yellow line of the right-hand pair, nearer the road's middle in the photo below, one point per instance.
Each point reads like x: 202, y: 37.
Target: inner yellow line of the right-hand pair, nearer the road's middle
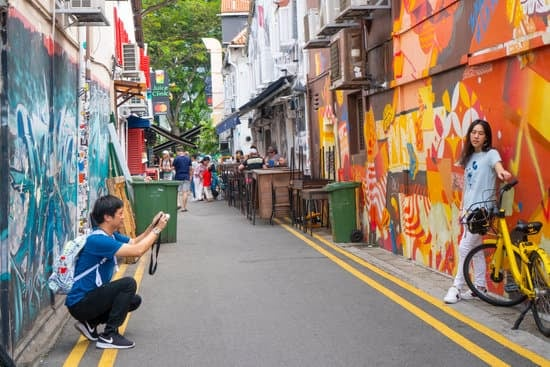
x: 439, y: 326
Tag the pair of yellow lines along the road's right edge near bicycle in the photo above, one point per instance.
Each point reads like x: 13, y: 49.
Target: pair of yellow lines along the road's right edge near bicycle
x: 455, y: 337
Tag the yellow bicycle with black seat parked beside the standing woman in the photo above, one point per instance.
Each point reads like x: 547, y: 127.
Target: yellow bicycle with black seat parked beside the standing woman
x: 518, y: 269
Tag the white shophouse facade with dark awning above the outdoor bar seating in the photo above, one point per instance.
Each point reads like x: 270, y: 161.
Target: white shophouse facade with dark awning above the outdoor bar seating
x: 265, y: 82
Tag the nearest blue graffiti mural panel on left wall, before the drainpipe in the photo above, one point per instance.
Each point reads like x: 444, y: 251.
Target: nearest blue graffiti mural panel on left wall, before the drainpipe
x: 42, y: 101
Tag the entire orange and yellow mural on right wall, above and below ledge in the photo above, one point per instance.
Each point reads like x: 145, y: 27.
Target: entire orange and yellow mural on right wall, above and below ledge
x: 414, y: 133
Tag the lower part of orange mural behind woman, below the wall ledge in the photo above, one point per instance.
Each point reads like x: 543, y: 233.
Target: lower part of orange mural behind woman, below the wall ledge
x: 412, y: 183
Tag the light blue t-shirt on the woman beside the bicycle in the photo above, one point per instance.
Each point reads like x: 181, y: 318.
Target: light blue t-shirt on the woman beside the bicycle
x: 480, y: 179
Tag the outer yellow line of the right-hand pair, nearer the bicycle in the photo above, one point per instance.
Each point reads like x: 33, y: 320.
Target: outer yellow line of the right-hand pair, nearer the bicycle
x: 497, y: 337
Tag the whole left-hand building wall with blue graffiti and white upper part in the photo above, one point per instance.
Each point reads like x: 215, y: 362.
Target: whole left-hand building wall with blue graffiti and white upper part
x: 63, y: 66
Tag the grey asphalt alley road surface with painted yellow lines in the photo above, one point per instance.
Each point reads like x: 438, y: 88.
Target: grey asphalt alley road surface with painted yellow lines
x: 232, y: 294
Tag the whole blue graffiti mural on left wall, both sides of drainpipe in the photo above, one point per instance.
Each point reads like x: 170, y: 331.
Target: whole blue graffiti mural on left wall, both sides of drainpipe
x: 45, y: 150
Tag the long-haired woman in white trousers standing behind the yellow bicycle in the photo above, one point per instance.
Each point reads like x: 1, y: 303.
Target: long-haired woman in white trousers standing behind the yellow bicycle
x: 482, y: 166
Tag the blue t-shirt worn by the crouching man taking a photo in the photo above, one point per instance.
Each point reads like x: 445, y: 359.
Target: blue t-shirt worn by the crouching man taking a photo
x: 98, y: 247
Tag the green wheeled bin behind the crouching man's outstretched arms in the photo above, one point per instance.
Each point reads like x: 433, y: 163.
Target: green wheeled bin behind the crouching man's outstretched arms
x: 150, y: 197
